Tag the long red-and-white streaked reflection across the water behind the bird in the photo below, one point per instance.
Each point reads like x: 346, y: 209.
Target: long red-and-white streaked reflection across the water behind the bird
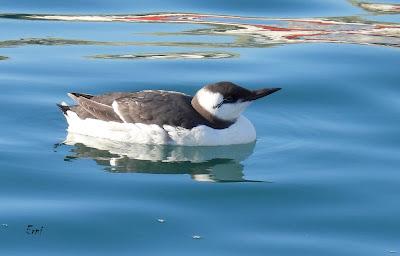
x: 247, y: 31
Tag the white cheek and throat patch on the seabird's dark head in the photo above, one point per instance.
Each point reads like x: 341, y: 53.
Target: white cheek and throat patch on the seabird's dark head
x: 227, y: 111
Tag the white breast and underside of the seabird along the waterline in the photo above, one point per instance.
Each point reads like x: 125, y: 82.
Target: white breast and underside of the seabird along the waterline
x: 241, y: 132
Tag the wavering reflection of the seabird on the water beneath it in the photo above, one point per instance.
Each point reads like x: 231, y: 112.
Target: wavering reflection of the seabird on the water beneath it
x: 213, y: 164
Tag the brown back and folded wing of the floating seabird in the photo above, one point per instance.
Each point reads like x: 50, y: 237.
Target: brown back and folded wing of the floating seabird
x: 146, y: 107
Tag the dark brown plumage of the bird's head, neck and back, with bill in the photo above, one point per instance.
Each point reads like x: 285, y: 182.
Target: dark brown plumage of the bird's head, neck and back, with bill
x: 162, y: 107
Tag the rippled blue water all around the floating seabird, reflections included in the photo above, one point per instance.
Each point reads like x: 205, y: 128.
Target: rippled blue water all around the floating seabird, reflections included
x: 322, y: 179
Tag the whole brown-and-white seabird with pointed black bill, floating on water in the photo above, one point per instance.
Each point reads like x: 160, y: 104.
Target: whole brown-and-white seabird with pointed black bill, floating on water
x: 212, y: 117
